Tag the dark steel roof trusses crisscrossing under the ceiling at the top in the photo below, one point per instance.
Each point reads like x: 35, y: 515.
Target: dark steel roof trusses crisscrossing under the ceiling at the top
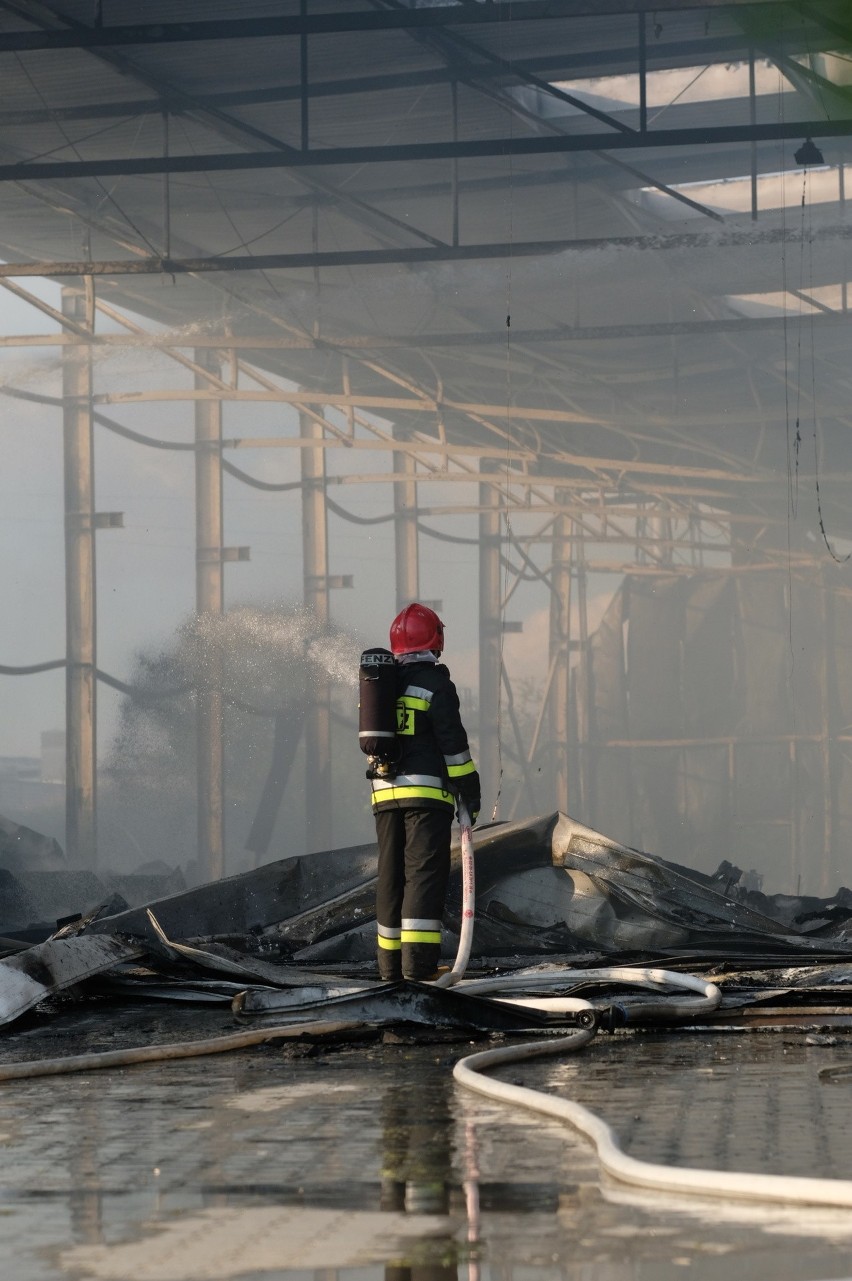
x: 468, y: 62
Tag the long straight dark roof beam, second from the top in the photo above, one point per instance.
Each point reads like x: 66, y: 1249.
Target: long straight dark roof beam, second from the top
x: 414, y: 153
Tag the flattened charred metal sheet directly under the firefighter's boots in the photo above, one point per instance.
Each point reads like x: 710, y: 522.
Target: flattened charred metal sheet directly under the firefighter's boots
x: 413, y: 1004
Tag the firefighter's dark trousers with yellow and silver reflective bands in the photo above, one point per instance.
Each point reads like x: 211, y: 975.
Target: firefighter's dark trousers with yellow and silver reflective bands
x: 413, y: 876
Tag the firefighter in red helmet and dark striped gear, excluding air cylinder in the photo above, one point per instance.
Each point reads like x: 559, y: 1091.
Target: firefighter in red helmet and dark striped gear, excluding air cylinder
x: 414, y: 808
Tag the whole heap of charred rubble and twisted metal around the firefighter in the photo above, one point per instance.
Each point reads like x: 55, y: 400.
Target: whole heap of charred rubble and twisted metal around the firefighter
x: 297, y: 937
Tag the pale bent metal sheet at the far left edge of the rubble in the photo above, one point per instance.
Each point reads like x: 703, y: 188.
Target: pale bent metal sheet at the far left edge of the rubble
x: 30, y: 977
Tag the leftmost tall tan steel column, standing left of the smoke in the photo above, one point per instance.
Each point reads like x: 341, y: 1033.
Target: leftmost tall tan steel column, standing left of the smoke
x: 81, y: 646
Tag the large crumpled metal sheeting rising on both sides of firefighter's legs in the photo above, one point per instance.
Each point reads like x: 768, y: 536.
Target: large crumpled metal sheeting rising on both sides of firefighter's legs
x: 548, y: 886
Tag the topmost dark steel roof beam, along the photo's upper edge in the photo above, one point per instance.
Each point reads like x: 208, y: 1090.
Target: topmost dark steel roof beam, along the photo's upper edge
x: 339, y: 24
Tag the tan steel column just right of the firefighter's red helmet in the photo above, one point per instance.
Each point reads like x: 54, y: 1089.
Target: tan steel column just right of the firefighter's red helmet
x: 490, y: 640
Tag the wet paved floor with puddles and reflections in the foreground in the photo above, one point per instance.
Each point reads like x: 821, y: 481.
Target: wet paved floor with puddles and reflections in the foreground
x: 366, y: 1163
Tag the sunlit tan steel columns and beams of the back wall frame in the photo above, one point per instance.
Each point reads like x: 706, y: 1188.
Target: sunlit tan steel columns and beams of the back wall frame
x: 673, y: 521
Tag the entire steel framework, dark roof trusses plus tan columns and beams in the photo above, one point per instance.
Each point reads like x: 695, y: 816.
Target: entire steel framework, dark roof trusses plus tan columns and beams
x: 587, y: 508
